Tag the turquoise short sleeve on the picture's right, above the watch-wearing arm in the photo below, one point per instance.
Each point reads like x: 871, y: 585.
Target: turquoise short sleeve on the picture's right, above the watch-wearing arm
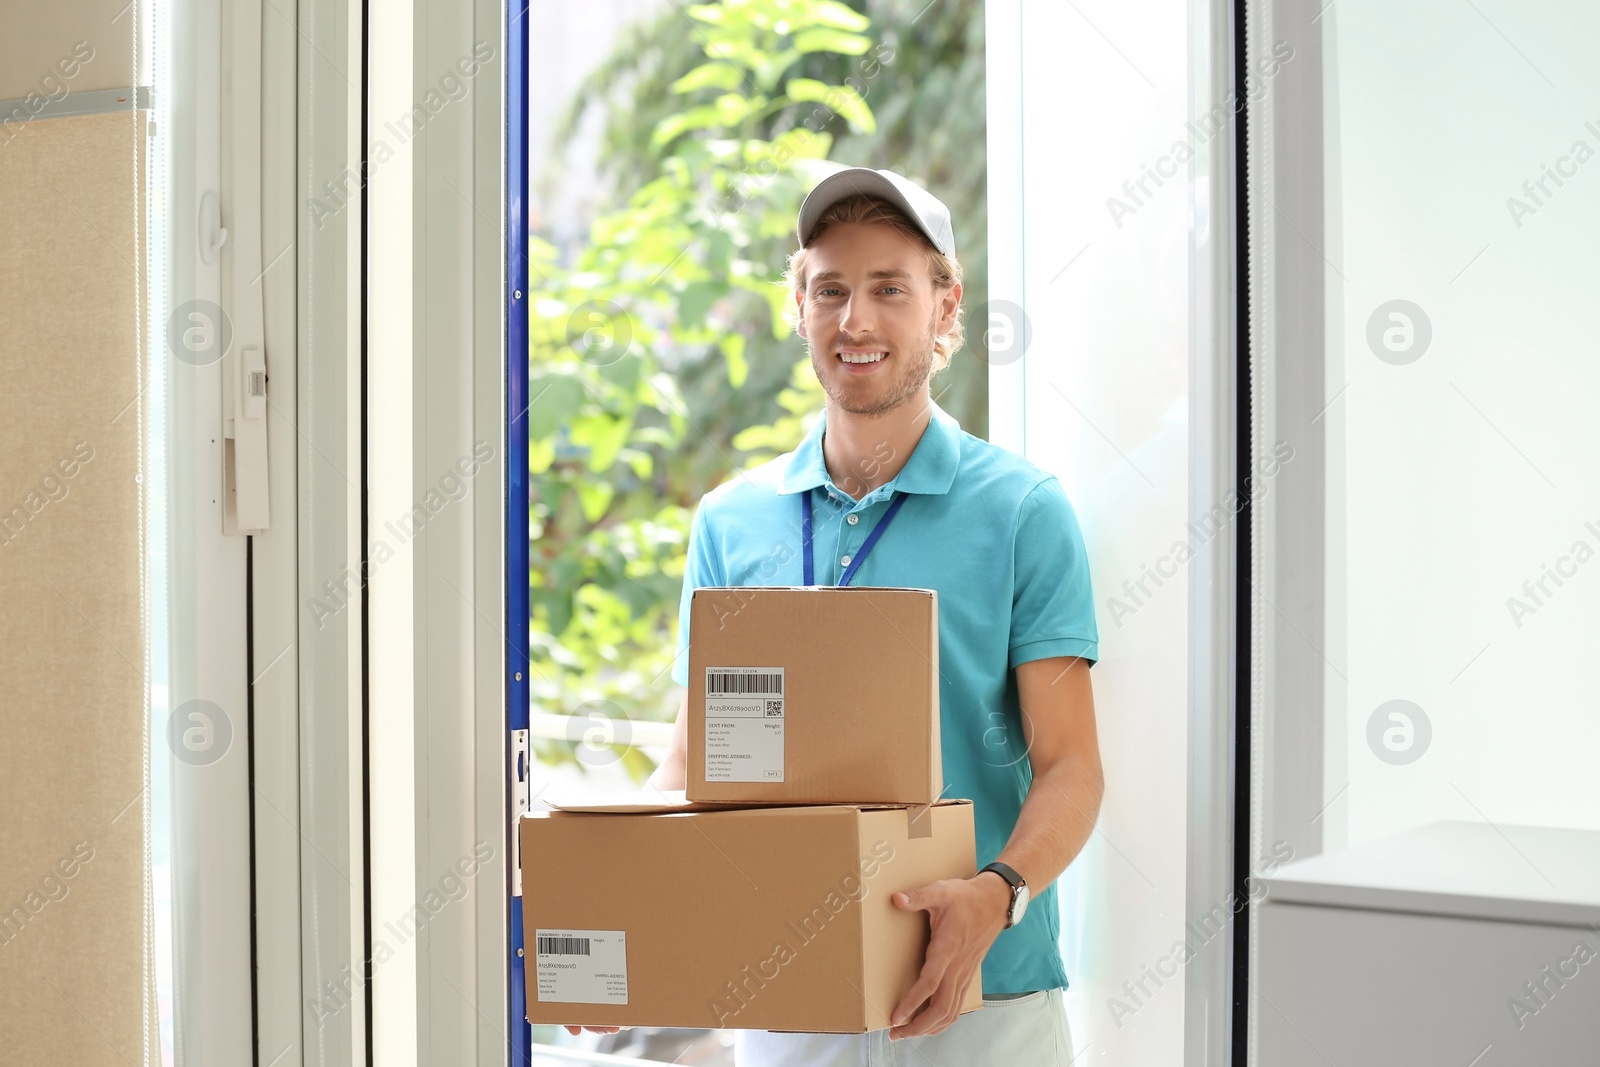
x: 1052, y: 601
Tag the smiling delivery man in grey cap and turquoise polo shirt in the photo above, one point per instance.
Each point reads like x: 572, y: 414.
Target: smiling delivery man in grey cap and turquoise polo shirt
x: 878, y: 300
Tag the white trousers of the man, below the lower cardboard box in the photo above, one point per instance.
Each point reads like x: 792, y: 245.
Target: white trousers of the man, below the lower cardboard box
x: 1025, y: 1033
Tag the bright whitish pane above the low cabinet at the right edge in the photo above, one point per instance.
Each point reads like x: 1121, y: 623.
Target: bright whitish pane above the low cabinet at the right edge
x: 1462, y: 503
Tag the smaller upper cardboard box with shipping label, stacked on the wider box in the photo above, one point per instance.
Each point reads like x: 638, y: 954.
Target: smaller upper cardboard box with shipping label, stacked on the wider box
x: 815, y: 695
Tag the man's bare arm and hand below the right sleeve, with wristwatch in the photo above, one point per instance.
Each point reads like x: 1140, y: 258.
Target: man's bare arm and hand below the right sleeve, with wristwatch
x: 1058, y: 815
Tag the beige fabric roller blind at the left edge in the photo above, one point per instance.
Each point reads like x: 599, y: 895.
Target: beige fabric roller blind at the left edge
x: 76, y: 983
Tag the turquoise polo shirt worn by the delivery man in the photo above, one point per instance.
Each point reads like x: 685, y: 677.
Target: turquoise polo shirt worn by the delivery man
x: 999, y: 541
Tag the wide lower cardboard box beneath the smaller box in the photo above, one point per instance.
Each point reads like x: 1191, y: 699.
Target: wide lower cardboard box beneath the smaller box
x: 770, y: 919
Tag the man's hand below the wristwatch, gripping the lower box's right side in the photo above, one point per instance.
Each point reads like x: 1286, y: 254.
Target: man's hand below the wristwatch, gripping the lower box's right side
x: 966, y: 916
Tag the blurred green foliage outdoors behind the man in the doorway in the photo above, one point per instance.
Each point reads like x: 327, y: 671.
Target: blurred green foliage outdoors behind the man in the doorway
x: 660, y: 358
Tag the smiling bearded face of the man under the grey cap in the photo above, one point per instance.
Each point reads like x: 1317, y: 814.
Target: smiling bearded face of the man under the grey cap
x: 870, y: 316
